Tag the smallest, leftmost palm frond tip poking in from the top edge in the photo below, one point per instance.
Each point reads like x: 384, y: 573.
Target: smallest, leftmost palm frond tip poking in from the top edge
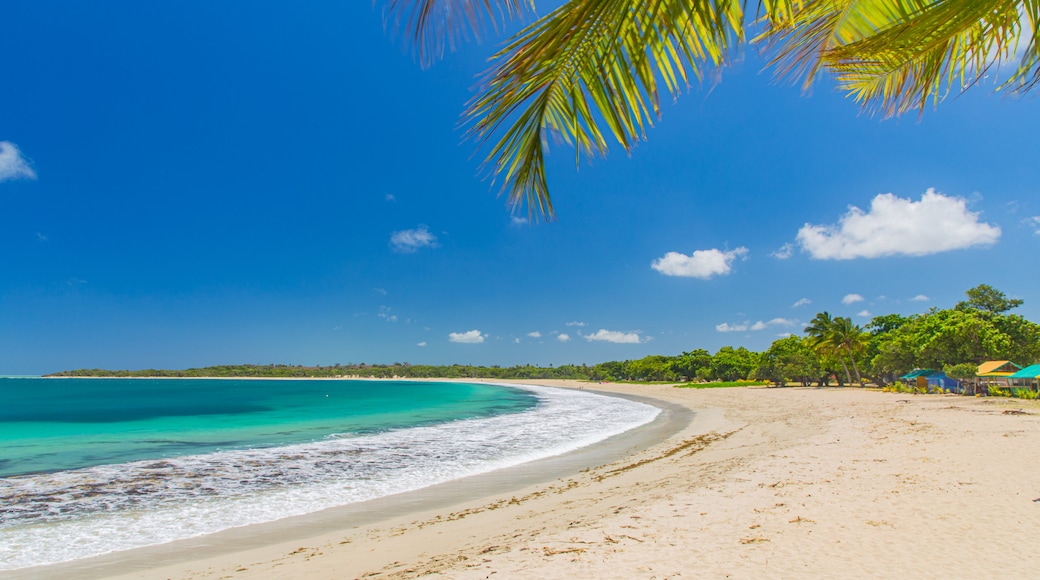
x: 434, y: 25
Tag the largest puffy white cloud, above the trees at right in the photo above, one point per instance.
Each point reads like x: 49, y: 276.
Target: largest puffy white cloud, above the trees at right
x: 899, y: 227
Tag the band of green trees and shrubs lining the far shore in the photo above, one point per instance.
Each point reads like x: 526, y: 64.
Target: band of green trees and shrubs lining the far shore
x: 833, y: 351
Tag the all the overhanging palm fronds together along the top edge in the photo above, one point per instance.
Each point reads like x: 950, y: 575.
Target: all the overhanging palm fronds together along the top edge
x: 595, y: 68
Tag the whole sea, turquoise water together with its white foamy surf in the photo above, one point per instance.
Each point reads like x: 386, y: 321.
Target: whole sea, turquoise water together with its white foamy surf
x: 95, y: 466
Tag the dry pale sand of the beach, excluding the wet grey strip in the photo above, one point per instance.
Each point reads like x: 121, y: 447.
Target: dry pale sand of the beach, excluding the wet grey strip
x: 763, y: 483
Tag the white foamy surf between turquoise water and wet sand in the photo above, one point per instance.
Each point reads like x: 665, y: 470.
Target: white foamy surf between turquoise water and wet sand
x: 60, y: 517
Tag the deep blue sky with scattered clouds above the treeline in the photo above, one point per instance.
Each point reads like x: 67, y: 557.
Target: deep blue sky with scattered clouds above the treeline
x: 198, y: 183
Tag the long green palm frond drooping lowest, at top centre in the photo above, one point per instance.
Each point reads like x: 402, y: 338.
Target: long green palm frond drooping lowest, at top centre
x: 589, y: 69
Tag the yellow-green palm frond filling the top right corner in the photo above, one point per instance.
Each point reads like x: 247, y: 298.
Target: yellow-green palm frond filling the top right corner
x: 898, y: 56
